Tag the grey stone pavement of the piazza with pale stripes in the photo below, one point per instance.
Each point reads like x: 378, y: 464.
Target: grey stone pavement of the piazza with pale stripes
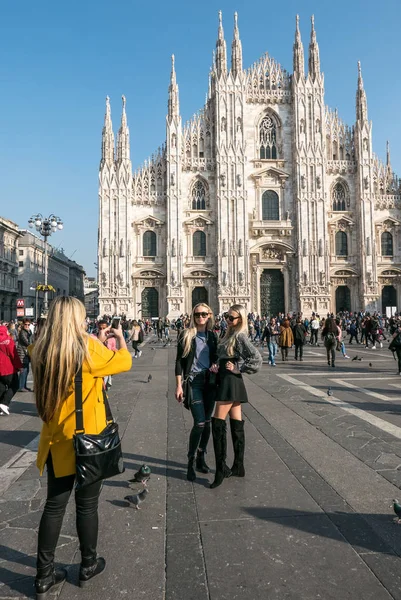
x: 312, y: 519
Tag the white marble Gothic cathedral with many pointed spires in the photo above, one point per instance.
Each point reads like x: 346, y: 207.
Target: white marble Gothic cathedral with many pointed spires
x: 265, y: 198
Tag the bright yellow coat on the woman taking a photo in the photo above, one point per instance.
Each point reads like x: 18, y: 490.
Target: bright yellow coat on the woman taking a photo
x: 56, y: 436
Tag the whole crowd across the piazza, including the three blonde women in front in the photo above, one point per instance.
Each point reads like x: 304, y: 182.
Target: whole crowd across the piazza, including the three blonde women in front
x: 213, y: 352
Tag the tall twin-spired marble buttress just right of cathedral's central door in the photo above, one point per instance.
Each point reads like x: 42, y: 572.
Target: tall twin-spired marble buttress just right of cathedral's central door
x: 309, y: 161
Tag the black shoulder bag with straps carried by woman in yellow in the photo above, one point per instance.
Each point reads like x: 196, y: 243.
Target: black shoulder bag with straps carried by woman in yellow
x: 98, y: 456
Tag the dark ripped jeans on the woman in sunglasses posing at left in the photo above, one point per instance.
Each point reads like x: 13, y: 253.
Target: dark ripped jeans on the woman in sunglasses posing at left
x: 202, y: 406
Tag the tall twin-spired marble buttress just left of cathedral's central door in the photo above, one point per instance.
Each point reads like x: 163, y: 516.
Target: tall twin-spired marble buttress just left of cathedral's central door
x: 229, y: 94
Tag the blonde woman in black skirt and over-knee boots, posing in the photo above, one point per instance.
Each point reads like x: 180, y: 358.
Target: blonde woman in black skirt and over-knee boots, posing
x: 236, y: 356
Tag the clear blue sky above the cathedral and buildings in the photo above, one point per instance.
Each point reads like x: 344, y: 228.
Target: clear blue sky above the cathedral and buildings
x: 60, y: 59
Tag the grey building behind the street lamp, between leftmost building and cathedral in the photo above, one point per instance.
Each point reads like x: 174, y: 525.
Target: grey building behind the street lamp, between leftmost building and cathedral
x: 64, y: 274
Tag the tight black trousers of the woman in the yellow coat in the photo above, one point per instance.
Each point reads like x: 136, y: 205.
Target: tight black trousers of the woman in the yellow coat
x: 58, y: 493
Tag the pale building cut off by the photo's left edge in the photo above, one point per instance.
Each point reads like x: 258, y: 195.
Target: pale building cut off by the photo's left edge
x: 9, y: 235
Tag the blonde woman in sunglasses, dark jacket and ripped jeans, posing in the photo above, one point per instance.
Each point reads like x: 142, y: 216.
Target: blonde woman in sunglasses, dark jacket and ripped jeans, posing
x: 196, y: 357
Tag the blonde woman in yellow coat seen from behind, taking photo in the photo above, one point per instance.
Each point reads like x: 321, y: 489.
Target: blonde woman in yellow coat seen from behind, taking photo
x: 61, y: 348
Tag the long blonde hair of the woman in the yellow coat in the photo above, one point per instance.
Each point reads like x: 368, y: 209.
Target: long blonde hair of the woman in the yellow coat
x: 59, y: 351
